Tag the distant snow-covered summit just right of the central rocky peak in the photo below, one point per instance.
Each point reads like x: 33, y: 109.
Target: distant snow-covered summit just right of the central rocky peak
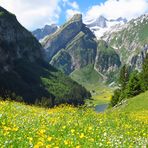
x: 101, y: 25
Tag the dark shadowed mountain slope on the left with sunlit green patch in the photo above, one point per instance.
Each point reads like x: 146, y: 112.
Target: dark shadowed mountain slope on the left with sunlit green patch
x: 23, y: 72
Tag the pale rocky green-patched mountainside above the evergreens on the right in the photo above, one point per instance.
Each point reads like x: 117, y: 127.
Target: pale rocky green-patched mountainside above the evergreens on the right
x: 130, y: 41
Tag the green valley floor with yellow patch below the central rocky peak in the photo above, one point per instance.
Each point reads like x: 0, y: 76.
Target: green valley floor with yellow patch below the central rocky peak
x: 92, y: 81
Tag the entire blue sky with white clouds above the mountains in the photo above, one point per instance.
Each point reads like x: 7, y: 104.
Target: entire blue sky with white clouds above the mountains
x: 36, y: 13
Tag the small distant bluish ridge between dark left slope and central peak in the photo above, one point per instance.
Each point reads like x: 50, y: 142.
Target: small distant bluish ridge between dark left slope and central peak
x: 43, y: 32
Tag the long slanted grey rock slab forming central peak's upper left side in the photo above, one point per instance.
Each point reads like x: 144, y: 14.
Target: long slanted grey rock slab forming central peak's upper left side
x: 52, y: 44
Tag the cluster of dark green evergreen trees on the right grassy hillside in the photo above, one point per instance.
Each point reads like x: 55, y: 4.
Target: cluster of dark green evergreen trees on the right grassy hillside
x: 131, y: 83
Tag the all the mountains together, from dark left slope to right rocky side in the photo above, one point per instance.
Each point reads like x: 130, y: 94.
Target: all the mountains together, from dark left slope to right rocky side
x: 33, y: 71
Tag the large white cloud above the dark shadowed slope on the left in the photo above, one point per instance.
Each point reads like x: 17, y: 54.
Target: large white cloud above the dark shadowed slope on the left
x: 34, y: 13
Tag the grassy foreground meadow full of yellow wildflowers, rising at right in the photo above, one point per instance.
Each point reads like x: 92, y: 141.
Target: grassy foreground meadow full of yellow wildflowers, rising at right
x: 23, y: 126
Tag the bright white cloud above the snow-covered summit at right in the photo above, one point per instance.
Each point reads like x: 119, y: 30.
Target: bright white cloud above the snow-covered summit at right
x: 113, y: 9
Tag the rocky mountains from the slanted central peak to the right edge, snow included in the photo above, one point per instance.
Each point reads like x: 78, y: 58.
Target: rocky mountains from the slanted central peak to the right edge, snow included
x: 105, y: 44
